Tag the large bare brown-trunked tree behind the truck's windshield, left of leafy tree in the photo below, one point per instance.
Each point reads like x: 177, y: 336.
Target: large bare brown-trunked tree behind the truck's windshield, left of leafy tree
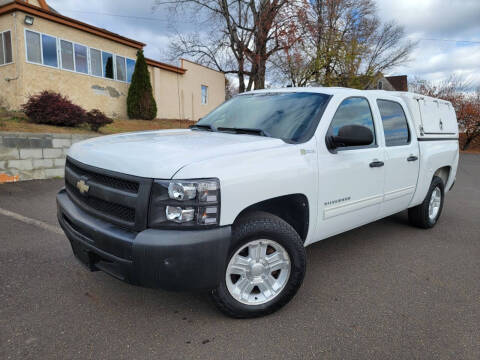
x: 242, y: 36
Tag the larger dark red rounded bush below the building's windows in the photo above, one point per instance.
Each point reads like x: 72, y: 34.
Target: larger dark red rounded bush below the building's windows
x: 53, y: 109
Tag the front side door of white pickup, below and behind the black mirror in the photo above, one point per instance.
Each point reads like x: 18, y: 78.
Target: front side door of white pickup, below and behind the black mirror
x: 351, y: 179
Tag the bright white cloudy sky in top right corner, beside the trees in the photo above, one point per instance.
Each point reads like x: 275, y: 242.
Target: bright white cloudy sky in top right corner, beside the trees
x: 437, y: 60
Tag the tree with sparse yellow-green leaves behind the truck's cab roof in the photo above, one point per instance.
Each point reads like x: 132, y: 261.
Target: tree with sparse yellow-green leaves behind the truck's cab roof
x: 343, y: 43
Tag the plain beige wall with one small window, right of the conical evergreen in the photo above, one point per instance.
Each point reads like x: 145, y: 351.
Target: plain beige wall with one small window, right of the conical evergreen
x: 179, y: 96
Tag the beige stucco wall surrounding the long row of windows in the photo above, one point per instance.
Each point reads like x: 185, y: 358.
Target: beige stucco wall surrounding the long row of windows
x: 85, y: 90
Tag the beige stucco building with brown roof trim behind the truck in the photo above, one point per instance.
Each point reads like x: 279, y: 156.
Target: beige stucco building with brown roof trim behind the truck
x: 41, y: 49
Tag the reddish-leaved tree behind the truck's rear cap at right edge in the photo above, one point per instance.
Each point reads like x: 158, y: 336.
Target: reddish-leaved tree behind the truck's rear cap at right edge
x: 466, y: 104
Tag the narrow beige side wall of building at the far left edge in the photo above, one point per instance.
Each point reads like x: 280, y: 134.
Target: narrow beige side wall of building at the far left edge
x: 8, y: 89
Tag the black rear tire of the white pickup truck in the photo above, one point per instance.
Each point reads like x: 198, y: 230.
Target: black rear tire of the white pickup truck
x: 419, y: 216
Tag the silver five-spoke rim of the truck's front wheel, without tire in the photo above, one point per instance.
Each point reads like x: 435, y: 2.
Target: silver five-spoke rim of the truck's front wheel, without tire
x: 258, y: 272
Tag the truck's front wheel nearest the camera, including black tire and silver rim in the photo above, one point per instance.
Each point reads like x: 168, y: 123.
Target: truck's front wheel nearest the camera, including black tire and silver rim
x: 262, y: 231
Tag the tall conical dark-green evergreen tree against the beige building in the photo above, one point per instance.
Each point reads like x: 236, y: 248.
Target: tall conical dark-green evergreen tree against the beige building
x: 140, y: 101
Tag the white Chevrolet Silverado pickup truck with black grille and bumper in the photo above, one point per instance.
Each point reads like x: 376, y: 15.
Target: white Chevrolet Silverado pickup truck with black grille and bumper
x: 231, y: 203
